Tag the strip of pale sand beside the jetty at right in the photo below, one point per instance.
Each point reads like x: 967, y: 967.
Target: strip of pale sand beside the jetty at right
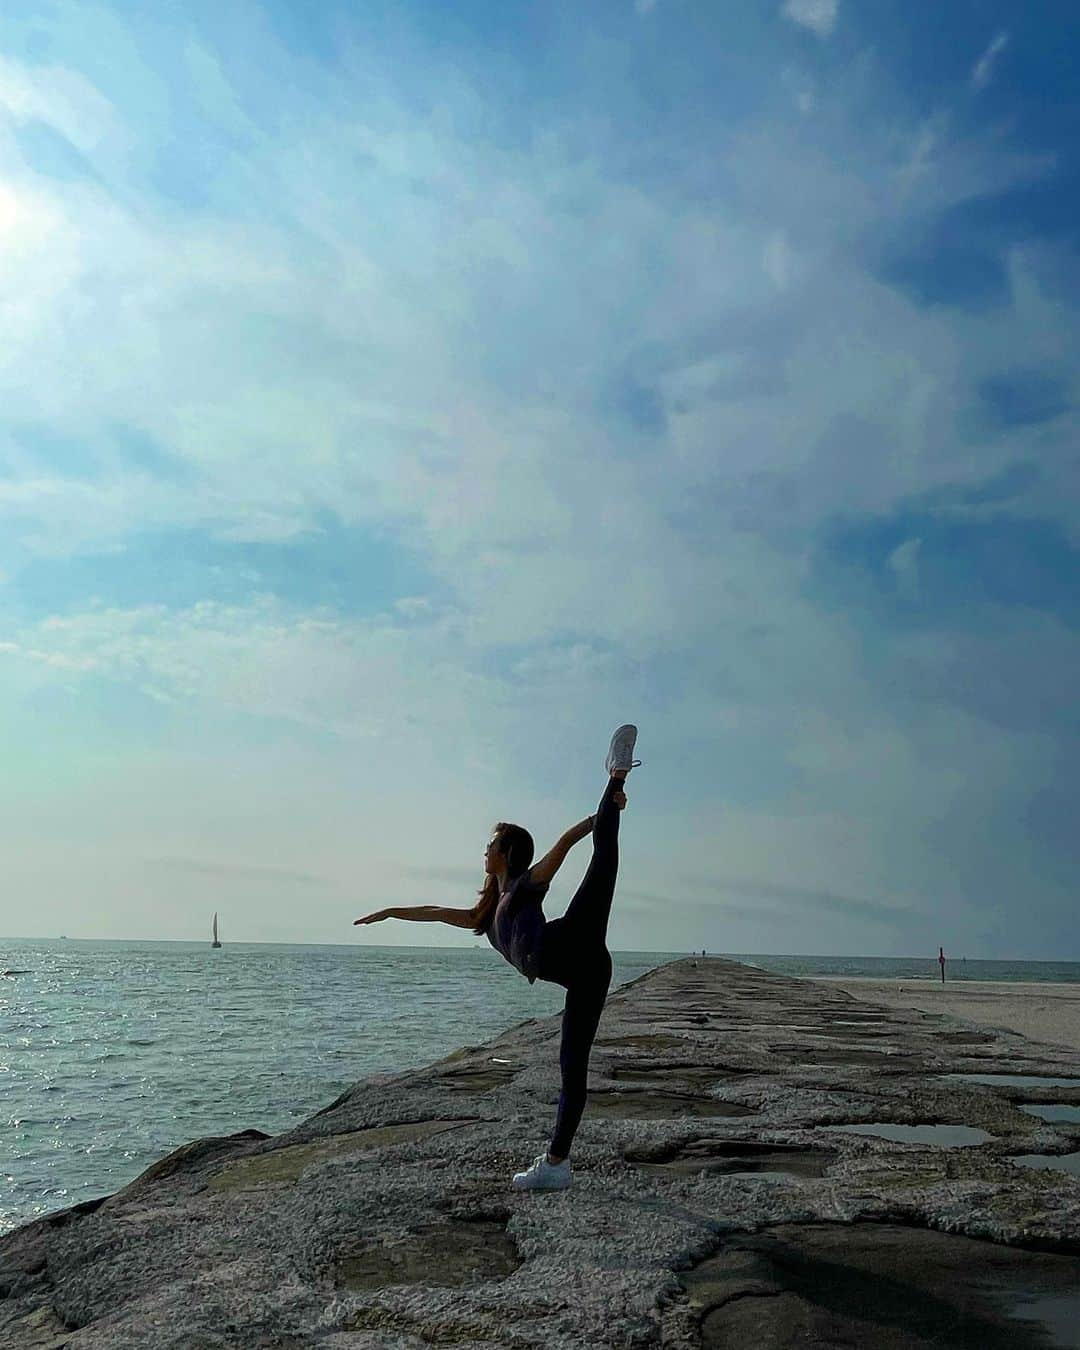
x: 1046, y: 1013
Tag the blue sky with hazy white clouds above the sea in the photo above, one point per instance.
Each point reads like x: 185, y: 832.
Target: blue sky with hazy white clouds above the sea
x: 395, y: 399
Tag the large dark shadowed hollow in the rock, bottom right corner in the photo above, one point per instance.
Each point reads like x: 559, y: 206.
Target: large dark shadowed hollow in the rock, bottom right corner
x: 869, y: 1285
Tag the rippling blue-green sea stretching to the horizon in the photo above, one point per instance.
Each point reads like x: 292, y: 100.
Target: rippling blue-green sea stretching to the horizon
x: 114, y: 1054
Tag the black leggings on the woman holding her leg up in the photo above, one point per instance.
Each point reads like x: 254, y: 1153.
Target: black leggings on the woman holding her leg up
x: 576, y: 955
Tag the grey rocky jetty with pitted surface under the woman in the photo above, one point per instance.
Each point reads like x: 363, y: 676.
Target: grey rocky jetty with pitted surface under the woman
x: 734, y: 1186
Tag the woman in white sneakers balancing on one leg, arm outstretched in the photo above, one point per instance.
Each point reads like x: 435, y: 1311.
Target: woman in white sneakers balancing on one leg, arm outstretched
x: 572, y: 951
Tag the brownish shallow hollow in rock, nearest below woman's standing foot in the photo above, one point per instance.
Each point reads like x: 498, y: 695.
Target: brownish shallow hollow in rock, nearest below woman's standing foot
x: 448, y: 1255
